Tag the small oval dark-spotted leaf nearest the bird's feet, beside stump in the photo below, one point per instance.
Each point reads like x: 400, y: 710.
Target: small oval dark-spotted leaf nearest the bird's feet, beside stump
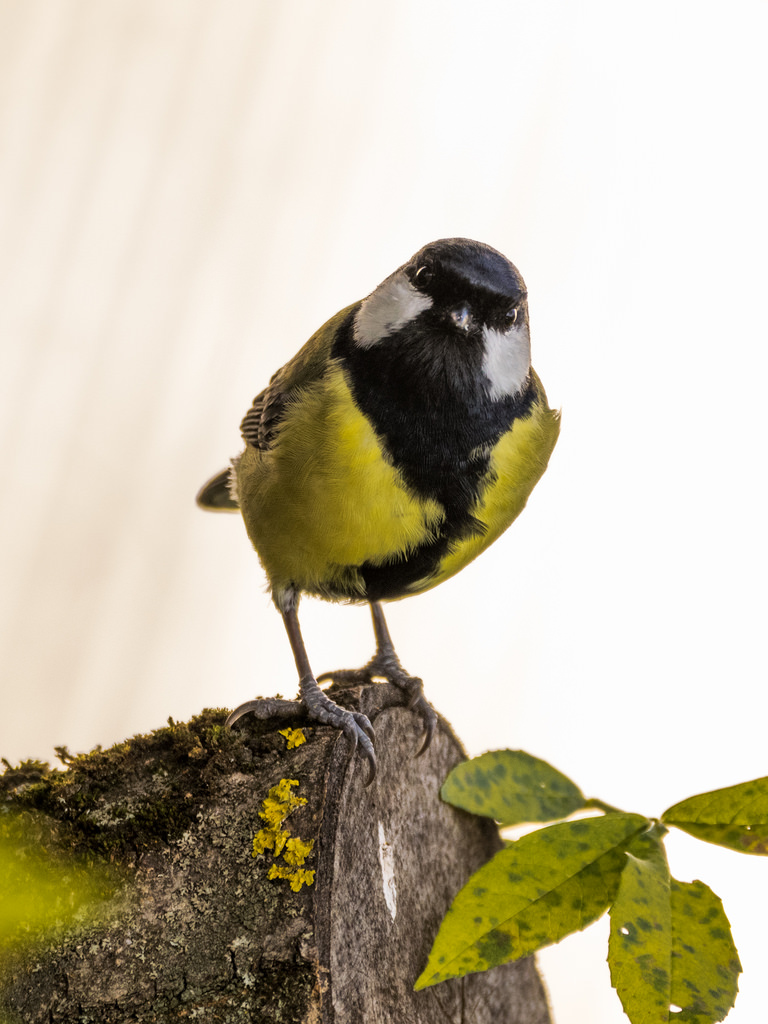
x: 511, y: 787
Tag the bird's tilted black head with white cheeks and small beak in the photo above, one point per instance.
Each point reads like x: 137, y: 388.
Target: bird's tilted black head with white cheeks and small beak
x: 459, y: 304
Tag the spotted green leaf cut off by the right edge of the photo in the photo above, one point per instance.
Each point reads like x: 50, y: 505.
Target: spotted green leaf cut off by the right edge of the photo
x: 736, y: 818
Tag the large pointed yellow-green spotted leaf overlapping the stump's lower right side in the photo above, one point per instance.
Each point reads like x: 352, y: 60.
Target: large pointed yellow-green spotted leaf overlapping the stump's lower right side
x: 543, y: 887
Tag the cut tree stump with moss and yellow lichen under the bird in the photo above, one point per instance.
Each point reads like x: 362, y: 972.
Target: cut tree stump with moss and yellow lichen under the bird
x: 204, y: 933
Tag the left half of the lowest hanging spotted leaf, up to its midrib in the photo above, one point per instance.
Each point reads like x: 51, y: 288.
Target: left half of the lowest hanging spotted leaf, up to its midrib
x: 641, y: 944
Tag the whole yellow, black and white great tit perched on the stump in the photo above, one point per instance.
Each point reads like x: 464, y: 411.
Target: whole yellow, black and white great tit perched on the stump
x: 401, y: 441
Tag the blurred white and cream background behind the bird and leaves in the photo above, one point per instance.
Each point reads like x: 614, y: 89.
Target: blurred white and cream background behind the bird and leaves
x: 190, y: 188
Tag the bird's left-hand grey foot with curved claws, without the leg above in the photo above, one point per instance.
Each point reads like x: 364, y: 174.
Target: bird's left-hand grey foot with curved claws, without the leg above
x: 317, y: 707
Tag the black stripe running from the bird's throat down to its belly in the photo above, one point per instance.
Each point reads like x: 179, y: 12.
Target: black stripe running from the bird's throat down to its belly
x: 426, y: 401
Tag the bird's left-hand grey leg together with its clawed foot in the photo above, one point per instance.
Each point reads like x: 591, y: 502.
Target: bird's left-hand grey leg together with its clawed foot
x: 314, y: 703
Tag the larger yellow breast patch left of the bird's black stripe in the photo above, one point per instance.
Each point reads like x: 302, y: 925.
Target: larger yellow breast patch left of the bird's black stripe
x: 325, y: 498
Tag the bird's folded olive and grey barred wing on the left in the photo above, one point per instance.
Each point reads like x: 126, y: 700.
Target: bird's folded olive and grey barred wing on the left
x: 310, y: 364
